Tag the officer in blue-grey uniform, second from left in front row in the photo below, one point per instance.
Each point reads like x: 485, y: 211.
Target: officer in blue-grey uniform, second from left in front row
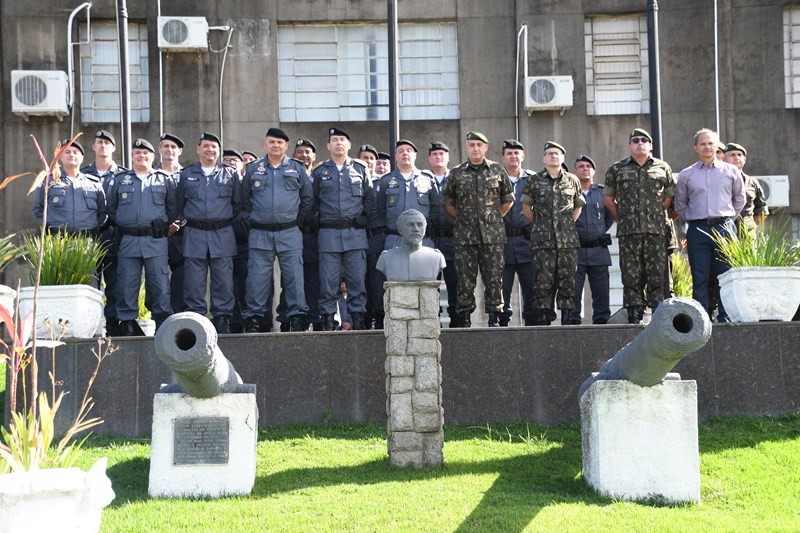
x: 142, y: 203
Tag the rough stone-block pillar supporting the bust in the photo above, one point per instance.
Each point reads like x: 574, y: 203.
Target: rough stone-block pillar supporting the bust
x: 413, y: 374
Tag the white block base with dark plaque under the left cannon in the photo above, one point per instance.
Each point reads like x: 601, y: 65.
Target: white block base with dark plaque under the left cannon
x: 204, y: 447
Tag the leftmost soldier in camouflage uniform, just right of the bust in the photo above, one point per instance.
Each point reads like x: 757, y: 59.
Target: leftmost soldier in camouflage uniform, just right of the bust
x: 477, y: 195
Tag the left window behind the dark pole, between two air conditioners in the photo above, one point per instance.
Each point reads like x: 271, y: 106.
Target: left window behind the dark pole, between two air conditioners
x: 100, y: 99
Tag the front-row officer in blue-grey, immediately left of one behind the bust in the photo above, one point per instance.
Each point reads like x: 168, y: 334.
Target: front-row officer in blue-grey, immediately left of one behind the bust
x: 342, y: 198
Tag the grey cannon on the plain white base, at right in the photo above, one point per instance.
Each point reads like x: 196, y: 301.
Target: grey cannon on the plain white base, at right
x: 679, y: 326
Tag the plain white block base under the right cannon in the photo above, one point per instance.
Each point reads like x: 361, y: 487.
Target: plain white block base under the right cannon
x: 641, y: 443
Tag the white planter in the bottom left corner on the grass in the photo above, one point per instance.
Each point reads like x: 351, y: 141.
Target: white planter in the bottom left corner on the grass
x: 59, y: 499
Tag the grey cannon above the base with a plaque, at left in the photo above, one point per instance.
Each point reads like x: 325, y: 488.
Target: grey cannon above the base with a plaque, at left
x: 187, y: 344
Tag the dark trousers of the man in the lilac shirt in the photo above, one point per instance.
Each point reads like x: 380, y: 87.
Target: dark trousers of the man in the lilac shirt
x: 705, y: 261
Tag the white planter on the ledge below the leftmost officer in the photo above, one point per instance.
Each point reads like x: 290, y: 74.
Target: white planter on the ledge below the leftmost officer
x: 81, y: 305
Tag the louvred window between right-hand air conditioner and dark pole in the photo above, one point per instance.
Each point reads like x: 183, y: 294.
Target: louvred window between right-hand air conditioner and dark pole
x: 616, y: 65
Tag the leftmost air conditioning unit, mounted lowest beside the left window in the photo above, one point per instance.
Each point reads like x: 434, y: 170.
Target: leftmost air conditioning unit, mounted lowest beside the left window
x: 39, y: 93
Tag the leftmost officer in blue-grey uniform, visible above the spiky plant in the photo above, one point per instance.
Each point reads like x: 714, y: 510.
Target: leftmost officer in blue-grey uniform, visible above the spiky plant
x: 76, y: 203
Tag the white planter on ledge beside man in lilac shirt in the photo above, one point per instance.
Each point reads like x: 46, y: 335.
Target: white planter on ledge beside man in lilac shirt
x: 751, y: 294
